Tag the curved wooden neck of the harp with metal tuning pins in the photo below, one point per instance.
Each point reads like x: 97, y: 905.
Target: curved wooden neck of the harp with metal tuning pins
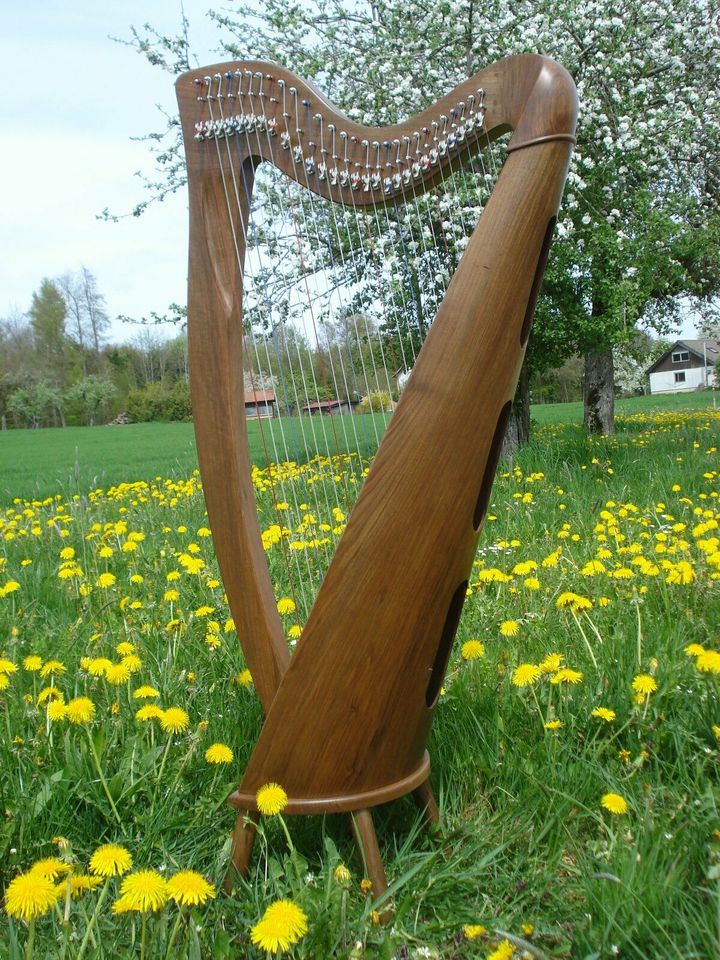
x: 271, y: 114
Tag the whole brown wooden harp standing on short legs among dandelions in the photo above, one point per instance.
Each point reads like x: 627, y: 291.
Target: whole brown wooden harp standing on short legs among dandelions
x: 347, y: 715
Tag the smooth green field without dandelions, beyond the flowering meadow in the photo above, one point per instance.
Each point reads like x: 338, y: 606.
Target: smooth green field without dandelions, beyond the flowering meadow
x: 40, y: 463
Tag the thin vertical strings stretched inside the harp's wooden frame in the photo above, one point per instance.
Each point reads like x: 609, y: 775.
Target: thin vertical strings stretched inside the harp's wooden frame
x: 416, y: 236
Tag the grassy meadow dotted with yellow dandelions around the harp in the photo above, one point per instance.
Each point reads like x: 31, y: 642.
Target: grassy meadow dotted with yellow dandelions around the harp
x: 575, y: 746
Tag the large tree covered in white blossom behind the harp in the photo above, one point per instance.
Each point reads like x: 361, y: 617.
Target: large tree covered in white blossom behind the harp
x: 640, y: 222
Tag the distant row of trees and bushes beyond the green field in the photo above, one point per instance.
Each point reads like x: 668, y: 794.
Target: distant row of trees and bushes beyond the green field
x: 57, y: 368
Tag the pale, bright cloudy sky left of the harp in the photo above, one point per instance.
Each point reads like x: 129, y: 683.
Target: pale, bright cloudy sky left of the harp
x: 73, y: 99
